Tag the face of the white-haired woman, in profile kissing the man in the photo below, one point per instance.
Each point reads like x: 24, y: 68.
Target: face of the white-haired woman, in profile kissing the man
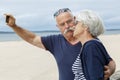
x: 79, y: 29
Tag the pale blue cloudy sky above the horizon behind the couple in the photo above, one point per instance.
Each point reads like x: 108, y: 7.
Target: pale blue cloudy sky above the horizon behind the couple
x: 37, y: 15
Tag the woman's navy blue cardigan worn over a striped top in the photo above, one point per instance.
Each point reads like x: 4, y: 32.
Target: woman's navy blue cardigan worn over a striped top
x: 93, y: 59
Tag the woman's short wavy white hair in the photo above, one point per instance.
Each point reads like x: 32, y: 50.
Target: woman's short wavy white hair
x: 92, y: 21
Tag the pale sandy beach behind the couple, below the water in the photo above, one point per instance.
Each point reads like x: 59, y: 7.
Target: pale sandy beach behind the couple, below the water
x: 21, y: 61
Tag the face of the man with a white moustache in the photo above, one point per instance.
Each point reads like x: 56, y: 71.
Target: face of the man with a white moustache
x: 65, y: 22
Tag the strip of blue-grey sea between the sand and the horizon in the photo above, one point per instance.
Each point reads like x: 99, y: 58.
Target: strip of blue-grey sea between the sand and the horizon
x: 11, y: 36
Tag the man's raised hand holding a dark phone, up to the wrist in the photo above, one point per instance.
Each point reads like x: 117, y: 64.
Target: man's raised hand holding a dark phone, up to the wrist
x: 10, y: 20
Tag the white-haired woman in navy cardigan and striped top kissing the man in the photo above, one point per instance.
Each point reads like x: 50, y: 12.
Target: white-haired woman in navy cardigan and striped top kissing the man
x: 89, y: 64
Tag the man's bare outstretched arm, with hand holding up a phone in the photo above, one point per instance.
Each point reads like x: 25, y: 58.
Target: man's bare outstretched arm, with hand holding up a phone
x: 24, y: 34
